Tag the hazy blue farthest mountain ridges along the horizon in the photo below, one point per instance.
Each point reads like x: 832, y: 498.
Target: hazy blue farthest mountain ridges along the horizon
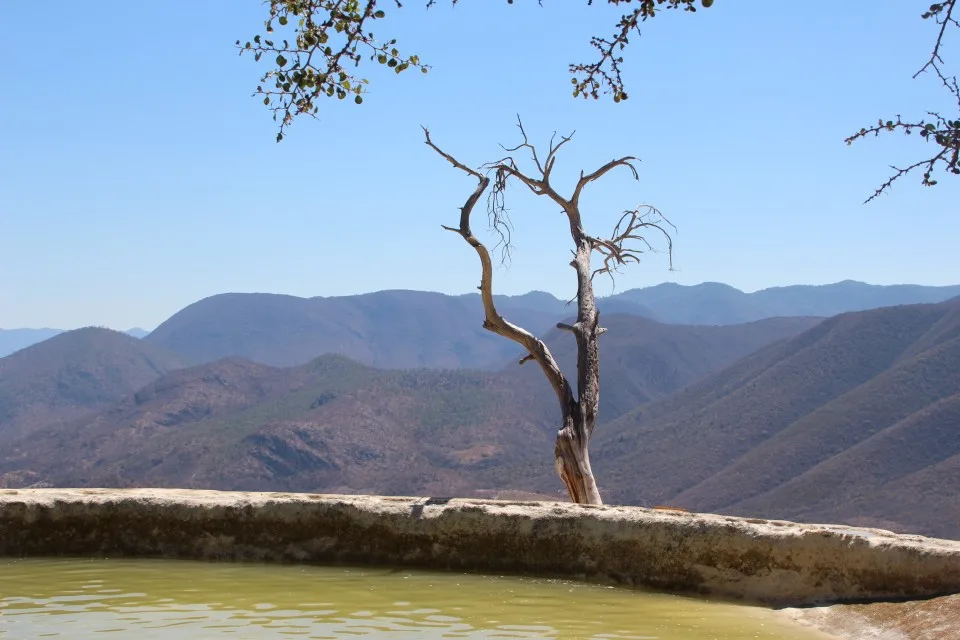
x: 401, y: 329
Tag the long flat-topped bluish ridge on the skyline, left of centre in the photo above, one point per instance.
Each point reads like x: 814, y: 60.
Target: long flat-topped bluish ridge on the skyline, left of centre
x: 388, y: 329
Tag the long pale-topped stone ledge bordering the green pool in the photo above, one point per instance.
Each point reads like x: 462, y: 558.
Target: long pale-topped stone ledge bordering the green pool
x: 767, y: 562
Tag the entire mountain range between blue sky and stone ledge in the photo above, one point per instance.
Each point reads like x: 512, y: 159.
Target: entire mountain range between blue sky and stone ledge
x: 853, y: 418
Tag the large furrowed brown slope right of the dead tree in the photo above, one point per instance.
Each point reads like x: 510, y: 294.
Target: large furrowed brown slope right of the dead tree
x: 854, y: 420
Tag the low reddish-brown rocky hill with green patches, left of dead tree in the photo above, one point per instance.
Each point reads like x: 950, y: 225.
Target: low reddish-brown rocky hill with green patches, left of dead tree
x: 331, y: 425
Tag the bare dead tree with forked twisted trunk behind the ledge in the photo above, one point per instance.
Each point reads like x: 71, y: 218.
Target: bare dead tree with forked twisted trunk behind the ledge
x: 626, y: 244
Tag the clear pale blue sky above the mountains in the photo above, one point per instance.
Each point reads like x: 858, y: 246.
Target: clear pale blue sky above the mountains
x: 138, y: 175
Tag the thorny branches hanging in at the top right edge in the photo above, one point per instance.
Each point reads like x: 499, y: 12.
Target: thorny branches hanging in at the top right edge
x: 942, y: 130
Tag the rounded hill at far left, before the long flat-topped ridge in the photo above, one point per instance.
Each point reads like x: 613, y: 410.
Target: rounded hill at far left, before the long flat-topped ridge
x: 72, y: 374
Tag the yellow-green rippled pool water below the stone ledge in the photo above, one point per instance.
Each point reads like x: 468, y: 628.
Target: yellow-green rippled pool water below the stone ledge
x: 146, y: 599
